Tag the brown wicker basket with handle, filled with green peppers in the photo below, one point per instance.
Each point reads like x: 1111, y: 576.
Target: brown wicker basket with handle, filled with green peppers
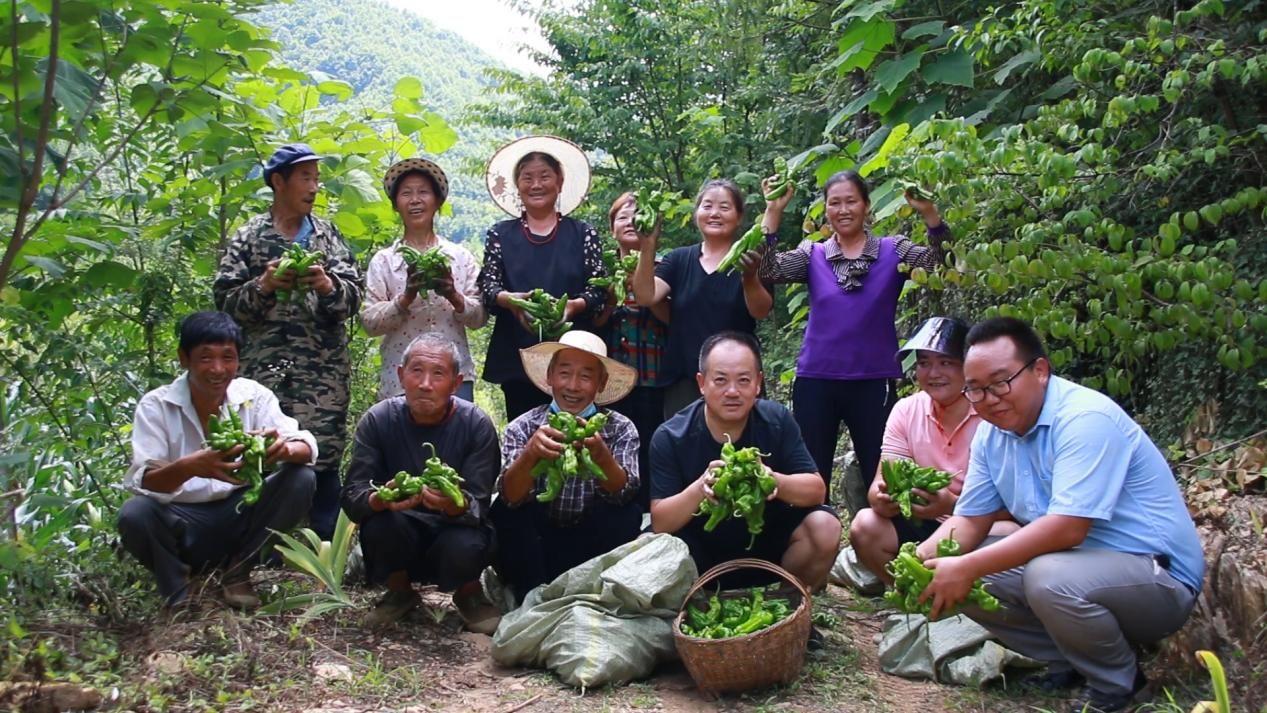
x: 743, y: 639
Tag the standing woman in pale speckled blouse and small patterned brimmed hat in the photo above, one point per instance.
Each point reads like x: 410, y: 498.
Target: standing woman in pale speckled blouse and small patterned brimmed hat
x: 397, y: 306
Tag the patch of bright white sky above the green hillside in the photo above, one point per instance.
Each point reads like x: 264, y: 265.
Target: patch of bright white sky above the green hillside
x: 493, y: 26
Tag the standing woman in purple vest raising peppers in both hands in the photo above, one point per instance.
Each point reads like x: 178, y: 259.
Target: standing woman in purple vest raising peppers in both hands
x: 846, y: 372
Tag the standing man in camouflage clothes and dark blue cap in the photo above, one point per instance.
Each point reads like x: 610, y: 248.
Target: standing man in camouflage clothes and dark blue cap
x: 298, y: 349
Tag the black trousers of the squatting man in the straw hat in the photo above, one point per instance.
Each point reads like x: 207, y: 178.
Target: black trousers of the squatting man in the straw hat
x: 533, y: 550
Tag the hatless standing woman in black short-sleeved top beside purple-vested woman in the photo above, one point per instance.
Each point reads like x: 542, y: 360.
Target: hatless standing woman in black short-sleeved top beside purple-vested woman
x: 703, y: 302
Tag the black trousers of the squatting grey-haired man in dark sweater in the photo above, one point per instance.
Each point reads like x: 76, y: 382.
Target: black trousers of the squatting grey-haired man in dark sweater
x: 430, y: 552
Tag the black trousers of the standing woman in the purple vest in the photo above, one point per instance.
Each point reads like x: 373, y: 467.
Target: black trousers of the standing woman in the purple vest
x: 820, y: 406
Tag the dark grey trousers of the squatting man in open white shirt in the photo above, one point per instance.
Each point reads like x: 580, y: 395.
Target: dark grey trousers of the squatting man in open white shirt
x: 173, y: 540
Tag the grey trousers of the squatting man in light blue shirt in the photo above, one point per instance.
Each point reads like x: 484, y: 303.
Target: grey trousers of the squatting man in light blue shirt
x: 1084, y: 610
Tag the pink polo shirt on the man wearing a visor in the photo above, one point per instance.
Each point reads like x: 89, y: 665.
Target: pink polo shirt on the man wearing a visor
x: 913, y: 432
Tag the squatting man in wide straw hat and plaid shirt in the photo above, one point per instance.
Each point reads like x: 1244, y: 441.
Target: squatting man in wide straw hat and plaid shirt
x: 539, y: 541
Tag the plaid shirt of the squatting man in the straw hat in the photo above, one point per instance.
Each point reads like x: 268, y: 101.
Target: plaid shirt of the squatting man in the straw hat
x: 578, y: 493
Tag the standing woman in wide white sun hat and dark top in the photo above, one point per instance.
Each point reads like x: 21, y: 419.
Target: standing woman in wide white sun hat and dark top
x: 539, y: 180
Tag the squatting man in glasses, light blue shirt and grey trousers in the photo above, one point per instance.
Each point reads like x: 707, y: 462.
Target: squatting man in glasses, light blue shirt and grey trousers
x: 1108, y: 555
